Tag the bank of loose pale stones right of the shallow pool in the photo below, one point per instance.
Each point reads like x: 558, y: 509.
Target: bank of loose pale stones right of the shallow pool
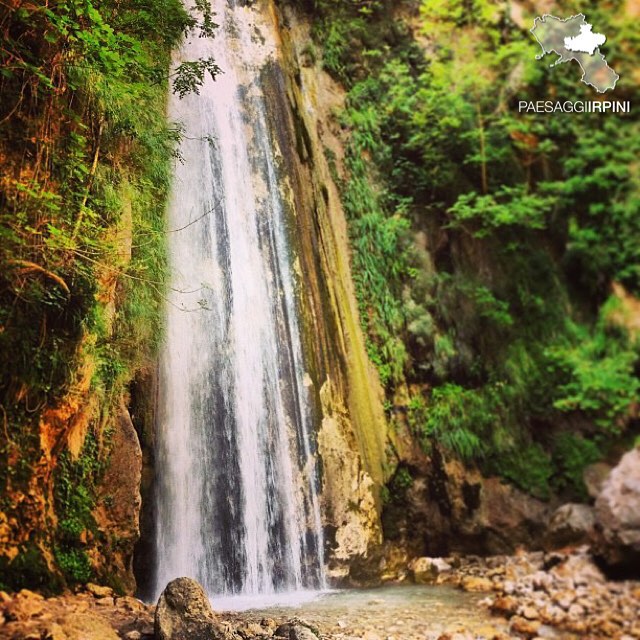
x: 552, y: 595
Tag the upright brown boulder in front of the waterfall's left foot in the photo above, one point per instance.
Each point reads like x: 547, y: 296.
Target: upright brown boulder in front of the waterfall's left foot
x: 184, y: 613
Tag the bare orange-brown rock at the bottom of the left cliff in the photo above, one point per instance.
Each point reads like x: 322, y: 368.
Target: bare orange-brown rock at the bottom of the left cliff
x: 79, y: 508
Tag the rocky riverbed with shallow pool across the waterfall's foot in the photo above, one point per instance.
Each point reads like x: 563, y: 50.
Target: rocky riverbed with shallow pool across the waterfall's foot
x: 560, y: 595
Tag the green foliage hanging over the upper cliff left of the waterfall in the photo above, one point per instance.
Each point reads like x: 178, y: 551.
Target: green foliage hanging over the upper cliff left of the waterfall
x: 87, y: 154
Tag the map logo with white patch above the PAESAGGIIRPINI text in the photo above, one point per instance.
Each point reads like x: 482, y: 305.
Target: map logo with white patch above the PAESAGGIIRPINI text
x: 573, y: 39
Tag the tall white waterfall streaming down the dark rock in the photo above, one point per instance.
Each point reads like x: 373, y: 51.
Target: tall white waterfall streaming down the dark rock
x: 237, y: 505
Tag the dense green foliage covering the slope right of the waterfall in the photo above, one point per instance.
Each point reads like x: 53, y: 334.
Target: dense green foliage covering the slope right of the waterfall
x: 497, y: 313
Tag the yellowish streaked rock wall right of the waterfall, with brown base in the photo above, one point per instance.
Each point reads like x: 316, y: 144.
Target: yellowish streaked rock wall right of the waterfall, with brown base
x: 447, y: 507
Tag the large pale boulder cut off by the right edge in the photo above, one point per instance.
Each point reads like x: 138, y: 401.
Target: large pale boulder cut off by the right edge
x: 617, y: 512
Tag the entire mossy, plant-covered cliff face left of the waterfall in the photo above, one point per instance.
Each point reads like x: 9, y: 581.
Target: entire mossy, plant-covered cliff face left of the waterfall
x: 74, y: 331
